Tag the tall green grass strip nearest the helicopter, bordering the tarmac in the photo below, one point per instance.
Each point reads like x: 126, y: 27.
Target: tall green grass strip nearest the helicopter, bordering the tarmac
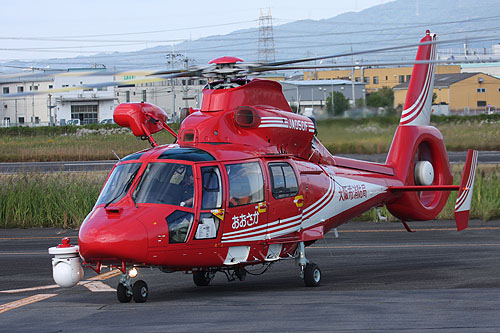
x: 64, y: 199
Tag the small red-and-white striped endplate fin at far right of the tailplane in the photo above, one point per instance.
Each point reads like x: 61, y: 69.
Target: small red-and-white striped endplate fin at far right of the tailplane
x: 462, y: 207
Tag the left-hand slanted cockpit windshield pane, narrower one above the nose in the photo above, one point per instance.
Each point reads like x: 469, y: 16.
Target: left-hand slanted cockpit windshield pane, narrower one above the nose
x: 118, y: 183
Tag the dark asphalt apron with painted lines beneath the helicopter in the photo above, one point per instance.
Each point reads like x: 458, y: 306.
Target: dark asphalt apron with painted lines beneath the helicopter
x: 375, y: 277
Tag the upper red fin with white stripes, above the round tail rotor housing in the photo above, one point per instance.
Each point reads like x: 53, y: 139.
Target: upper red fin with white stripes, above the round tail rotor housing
x: 418, y: 104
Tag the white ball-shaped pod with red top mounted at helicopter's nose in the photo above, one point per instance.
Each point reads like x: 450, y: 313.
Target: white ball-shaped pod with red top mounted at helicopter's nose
x: 67, y: 270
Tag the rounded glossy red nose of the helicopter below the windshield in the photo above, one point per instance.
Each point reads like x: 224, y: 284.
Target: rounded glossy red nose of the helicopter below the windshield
x: 114, y: 237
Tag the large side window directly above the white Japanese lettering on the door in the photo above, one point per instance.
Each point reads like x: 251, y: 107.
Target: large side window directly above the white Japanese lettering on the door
x: 246, y: 184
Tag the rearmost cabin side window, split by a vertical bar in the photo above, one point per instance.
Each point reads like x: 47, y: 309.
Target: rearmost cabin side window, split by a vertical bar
x: 283, y: 180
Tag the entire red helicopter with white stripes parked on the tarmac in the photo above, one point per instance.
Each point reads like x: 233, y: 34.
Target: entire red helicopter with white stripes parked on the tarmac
x: 248, y: 183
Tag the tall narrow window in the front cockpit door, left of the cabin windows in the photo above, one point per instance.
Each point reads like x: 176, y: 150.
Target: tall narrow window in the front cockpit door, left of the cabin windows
x: 211, y: 188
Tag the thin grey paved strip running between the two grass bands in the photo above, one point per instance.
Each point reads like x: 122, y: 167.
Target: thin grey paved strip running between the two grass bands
x: 488, y: 157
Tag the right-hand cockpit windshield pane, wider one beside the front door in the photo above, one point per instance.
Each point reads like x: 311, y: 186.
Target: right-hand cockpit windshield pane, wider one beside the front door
x: 166, y: 183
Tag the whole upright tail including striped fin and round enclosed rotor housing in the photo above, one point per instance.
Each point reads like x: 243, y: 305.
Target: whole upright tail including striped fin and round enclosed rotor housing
x: 417, y: 144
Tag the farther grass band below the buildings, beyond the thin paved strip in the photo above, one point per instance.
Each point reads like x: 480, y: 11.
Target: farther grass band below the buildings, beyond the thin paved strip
x: 343, y: 135
